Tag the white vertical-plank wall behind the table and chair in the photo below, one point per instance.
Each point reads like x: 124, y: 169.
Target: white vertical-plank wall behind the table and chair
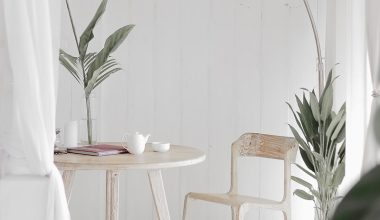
x: 198, y: 73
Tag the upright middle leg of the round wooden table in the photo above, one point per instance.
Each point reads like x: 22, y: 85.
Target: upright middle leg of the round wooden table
x: 112, y: 210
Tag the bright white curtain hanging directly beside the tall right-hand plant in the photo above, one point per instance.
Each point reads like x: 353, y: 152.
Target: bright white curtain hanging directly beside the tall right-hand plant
x: 354, y: 52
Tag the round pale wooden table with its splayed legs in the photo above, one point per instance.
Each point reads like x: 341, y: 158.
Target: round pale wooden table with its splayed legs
x: 151, y: 161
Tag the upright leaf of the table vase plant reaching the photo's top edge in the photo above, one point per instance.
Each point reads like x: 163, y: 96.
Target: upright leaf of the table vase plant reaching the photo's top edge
x: 88, y: 34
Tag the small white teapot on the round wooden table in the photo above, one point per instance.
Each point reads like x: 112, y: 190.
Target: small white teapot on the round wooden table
x: 135, y: 142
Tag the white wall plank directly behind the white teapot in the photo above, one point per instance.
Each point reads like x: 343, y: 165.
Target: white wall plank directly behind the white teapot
x: 139, y: 97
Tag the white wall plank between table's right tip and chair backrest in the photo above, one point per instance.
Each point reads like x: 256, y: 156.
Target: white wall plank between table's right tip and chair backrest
x: 222, y: 98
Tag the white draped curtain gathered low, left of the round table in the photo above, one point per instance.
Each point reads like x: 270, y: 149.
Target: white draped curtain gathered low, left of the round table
x: 29, y: 42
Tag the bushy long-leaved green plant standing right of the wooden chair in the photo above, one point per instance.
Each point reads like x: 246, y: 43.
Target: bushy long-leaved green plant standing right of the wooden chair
x: 322, y: 148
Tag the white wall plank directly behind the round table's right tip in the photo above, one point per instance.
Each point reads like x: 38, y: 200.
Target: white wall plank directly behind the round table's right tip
x: 194, y: 32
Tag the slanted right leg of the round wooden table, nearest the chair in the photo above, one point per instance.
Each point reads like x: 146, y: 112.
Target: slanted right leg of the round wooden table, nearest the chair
x: 158, y: 191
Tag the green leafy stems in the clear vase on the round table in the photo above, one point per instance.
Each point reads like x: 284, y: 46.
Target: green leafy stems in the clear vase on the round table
x: 91, y: 69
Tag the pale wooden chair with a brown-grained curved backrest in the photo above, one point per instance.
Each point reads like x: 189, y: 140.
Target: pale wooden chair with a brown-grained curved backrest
x: 256, y: 145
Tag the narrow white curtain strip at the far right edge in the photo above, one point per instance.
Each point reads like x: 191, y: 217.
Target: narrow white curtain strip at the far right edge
x: 372, y: 145
